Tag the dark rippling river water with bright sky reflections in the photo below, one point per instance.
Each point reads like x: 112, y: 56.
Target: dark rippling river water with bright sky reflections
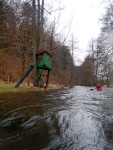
x: 67, y: 119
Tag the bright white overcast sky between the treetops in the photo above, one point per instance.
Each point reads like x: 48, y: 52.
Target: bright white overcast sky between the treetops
x: 85, y: 22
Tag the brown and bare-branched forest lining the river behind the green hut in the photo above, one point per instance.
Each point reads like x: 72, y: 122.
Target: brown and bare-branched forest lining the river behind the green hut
x: 25, y: 28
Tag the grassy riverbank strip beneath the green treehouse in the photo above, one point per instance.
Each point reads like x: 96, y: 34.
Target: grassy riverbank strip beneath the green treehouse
x: 9, y: 87
